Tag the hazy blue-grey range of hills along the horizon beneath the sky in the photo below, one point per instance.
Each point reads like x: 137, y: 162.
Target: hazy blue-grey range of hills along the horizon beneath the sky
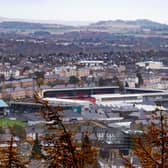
x: 111, y: 26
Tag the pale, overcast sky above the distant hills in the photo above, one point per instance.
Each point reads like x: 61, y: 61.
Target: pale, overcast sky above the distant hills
x: 85, y: 10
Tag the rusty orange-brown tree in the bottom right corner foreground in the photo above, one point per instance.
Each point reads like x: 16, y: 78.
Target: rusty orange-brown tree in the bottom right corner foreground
x: 151, y: 147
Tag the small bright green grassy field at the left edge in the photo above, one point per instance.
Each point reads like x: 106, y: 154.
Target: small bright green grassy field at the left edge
x: 10, y: 123
